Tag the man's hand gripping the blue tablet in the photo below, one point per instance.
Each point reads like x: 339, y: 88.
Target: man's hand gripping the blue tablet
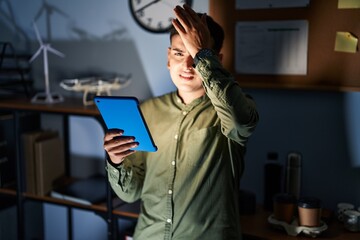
x: 118, y: 146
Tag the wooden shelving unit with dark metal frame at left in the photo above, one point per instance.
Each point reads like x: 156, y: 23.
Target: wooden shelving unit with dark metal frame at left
x: 67, y: 108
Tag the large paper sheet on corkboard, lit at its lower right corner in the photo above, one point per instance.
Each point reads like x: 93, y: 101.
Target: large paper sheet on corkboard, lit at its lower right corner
x: 271, y: 47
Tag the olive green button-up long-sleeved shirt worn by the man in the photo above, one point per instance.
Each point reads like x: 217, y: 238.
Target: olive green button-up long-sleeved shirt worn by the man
x: 189, y: 187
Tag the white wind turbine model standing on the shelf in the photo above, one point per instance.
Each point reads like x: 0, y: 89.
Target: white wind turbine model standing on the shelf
x: 47, y: 96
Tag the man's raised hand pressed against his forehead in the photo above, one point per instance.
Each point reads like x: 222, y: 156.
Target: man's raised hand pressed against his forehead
x: 192, y: 29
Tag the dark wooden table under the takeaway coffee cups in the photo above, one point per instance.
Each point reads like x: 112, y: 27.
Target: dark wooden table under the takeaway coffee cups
x: 256, y: 227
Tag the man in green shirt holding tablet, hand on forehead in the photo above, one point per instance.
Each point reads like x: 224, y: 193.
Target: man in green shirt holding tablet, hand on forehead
x: 188, y: 188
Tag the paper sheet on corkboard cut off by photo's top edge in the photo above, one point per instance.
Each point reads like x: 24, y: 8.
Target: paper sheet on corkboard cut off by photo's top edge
x: 260, y: 4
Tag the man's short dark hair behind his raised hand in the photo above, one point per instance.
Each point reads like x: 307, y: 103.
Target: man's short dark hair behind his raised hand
x: 216, y: 32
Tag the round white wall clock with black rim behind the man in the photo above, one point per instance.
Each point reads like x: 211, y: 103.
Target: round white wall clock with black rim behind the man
x: 155, y: 15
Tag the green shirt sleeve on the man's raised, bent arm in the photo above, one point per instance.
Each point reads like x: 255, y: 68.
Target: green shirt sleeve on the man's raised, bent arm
x: 236, y: 110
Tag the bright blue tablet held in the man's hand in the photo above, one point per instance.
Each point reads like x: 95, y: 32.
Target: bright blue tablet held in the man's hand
x: 124, y: 113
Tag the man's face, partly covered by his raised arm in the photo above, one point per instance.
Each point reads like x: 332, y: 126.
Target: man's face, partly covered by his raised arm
x: 183, y: 75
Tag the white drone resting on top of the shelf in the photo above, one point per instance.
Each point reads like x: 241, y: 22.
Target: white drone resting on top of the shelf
x: 95, y: 86
